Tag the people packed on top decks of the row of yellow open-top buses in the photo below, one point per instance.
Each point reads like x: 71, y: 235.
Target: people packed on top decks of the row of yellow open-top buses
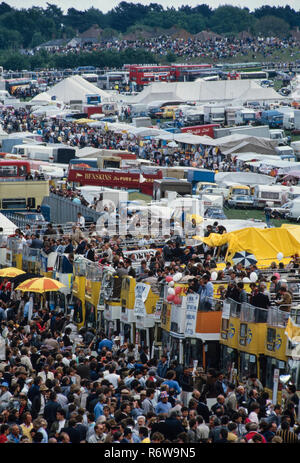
x: 196, y: 265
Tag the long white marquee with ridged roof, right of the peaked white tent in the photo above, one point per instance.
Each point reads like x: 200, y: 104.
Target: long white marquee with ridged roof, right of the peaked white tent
x: 223, y: 91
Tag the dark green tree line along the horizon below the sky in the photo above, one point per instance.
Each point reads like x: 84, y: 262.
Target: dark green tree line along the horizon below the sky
x: 27, y: 28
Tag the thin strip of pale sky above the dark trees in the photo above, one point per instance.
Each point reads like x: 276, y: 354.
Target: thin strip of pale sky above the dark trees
x: 106, y: 5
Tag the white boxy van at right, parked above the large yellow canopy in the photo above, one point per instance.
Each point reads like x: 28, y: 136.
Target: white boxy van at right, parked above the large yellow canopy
x: 269, y: 195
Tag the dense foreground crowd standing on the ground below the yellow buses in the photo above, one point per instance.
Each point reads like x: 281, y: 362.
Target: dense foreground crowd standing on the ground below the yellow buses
x: 58, y: 388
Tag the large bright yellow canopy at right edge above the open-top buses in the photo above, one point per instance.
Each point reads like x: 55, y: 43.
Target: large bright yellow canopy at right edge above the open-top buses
x: 265, y: 244
